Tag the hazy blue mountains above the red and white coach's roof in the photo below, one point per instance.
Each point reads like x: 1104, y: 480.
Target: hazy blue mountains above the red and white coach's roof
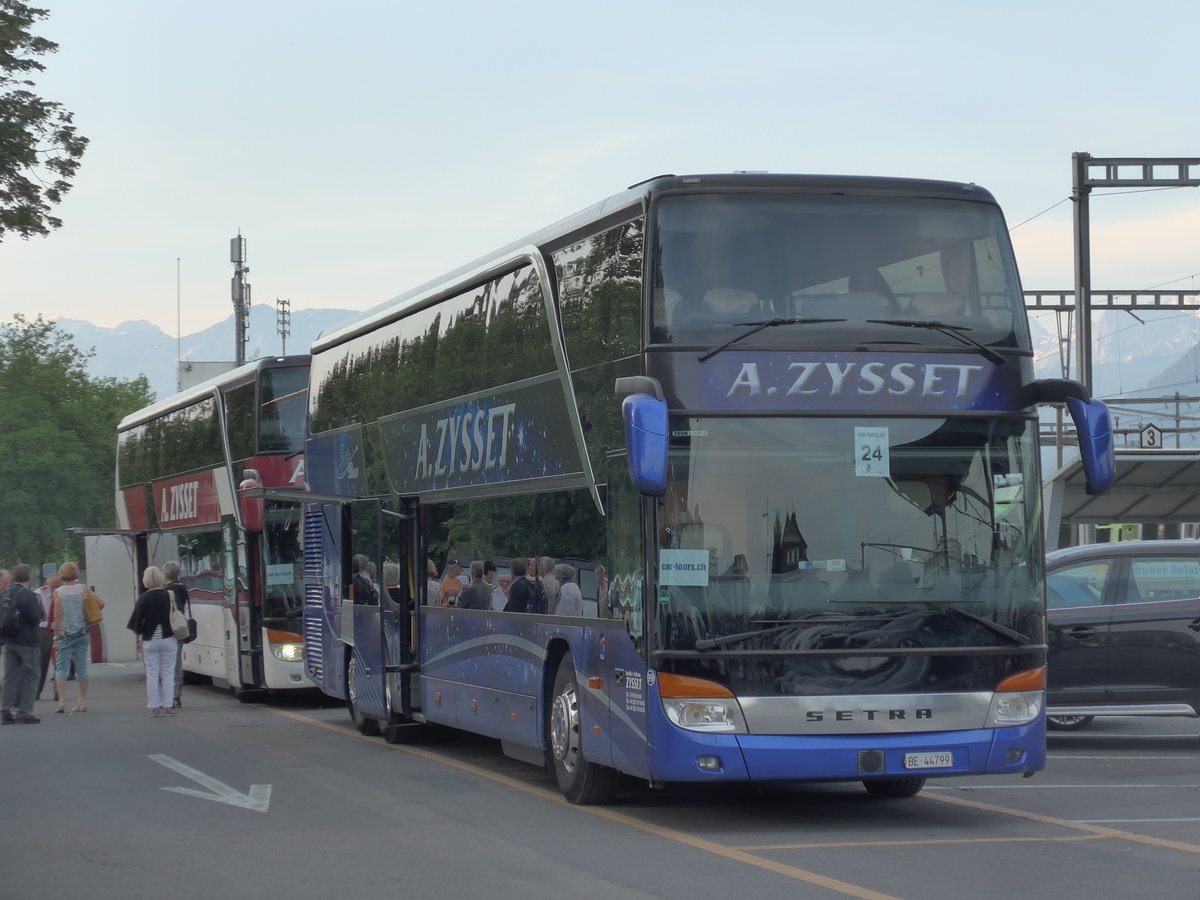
x: 135, y: 349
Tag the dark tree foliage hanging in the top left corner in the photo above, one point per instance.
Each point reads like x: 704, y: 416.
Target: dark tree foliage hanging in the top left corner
x: 40, y: 148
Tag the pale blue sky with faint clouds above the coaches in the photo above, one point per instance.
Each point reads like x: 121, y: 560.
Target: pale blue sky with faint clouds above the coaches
x: 364, y: 147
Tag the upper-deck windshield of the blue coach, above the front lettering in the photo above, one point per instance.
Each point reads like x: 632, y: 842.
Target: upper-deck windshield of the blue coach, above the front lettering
x: 853, y: 266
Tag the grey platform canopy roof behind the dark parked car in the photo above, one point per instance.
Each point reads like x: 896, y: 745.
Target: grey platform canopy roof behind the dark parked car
x: 1151, y: 488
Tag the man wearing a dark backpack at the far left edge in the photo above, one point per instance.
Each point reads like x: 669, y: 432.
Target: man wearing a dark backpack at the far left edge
x: 21, y: 613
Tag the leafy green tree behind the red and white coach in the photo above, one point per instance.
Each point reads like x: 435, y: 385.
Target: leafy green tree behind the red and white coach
x: 58, y: 442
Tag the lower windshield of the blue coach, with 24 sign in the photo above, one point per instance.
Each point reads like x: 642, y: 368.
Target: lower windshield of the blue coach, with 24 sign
x: 827, y: 533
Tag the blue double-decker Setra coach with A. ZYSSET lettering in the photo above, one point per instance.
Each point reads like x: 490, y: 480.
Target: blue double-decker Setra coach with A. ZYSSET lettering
x: 754, y: 461
